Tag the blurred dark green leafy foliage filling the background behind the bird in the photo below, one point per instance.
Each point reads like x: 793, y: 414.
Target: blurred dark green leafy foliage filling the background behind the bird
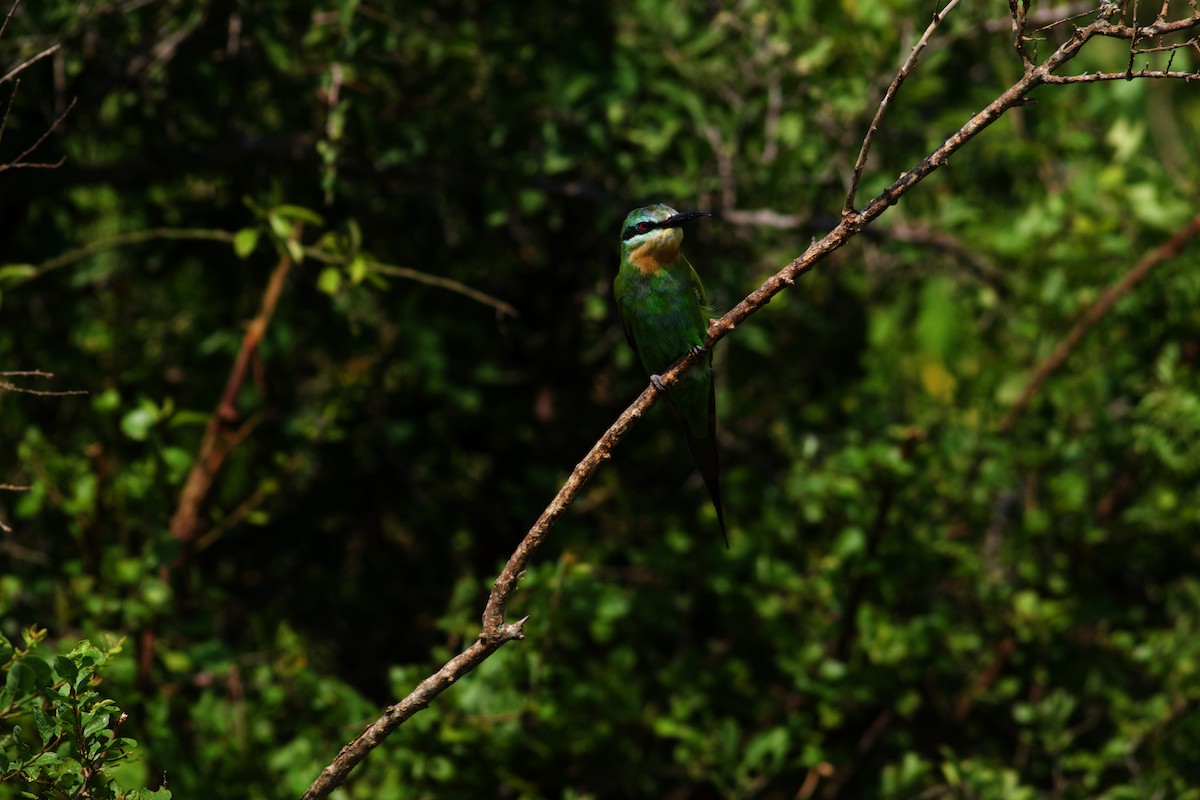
x: 916, y: 605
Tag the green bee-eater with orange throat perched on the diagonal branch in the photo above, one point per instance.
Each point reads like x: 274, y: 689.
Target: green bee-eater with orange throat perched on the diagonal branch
x: 665, y: 312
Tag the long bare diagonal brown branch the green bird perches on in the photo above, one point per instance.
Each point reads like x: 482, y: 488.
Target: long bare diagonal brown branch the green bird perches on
x: 496, y: 633
